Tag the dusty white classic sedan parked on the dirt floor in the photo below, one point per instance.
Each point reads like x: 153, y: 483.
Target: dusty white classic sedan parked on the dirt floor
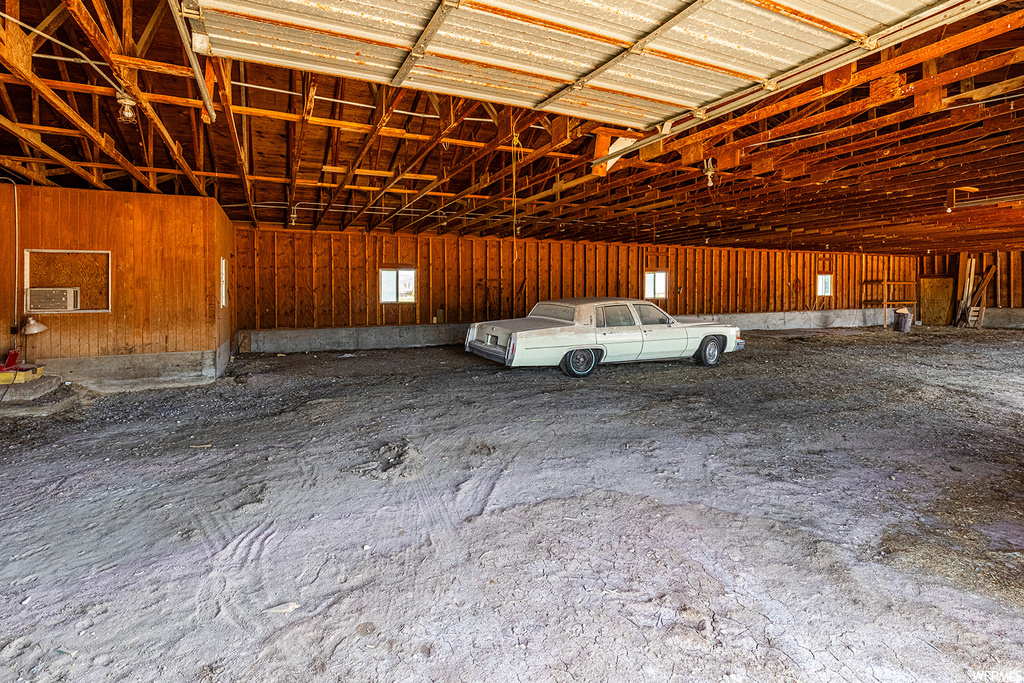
x: 578, y: 334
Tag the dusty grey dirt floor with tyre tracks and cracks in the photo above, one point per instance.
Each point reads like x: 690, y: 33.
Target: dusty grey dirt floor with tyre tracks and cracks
x: 822, y: 507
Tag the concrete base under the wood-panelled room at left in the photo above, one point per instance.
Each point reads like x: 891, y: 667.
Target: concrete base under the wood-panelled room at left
x: 141, y: 371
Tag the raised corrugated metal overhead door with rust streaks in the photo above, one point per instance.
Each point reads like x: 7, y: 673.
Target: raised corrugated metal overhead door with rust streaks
x: 523, y: 52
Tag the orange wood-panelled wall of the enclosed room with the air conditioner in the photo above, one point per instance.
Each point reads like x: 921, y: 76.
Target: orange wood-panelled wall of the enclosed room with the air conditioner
x: 164, y: 282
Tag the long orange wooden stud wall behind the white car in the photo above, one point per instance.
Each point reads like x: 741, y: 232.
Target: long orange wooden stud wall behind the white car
x: 298, y: 279
